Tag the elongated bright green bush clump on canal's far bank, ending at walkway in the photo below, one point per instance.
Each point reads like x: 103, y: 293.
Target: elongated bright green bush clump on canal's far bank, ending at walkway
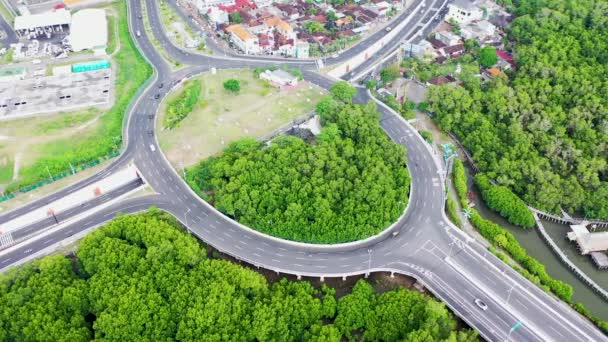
x: 505, y: 202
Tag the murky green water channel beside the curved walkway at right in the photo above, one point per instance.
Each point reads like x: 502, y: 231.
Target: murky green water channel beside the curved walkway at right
x: 536, y: 247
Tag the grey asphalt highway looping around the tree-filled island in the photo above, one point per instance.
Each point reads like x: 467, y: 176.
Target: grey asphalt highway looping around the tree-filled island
x: 451, y: 265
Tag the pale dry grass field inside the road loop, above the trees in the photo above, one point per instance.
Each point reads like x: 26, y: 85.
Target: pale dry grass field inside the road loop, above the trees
x: 221, y: 118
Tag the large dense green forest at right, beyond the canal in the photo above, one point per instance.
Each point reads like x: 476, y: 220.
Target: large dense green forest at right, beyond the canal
x: 542, y: 131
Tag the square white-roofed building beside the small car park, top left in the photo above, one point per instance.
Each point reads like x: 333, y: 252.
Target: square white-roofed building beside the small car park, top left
x: 89, y: 30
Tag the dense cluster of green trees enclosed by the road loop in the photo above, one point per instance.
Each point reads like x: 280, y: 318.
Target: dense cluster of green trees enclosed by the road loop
x: 348, y: 184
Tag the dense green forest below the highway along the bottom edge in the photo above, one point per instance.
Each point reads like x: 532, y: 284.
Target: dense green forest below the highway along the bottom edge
x: 141, y: 278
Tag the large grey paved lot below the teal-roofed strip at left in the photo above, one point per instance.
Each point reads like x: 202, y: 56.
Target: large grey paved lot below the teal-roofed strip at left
x: 48, y: 94
